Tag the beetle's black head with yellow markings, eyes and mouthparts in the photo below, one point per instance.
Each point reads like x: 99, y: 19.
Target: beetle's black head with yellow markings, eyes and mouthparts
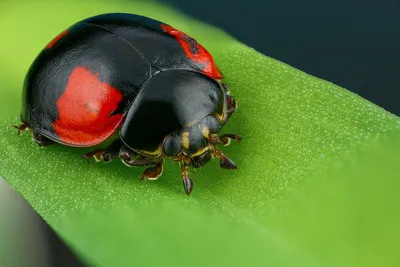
x: 197, y: 144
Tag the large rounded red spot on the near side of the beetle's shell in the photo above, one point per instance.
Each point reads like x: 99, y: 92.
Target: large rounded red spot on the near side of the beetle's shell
x: 84, y: 110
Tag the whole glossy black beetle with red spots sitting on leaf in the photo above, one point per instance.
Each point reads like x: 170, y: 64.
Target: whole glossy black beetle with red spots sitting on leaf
x: 150, y: 82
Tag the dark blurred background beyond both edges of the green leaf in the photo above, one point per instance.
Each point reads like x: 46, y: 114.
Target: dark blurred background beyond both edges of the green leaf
x: 352, y: 43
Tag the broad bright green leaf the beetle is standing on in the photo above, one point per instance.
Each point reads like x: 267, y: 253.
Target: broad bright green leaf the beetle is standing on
x: 317, y: 183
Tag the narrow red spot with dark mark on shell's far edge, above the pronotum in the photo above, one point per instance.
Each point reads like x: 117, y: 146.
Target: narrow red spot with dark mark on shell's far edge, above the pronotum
x: 202, y: 56
